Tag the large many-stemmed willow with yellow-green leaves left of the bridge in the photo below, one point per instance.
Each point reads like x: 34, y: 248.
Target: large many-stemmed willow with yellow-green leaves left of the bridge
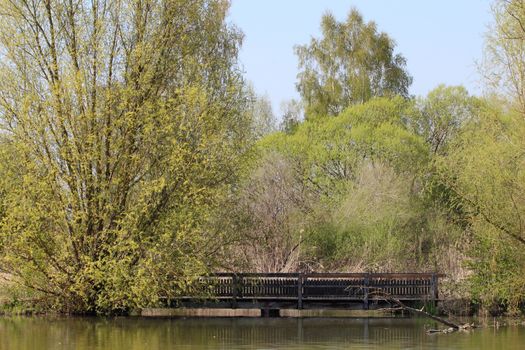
x: 122, y: 124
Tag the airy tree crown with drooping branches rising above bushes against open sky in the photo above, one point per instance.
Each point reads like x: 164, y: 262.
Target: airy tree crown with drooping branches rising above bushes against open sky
x: 351, y: 63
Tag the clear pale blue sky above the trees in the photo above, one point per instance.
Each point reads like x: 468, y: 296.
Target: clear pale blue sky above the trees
x: 441, y: 39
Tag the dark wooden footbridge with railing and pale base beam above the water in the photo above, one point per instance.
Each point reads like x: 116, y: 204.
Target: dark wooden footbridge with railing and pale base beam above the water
x: 274, y: 291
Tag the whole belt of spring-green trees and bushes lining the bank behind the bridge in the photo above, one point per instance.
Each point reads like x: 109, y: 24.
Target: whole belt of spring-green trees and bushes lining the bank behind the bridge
x: 135, y: 157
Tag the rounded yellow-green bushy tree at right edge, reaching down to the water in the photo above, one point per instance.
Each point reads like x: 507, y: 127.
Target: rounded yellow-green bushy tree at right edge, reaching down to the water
x: 485, y: 170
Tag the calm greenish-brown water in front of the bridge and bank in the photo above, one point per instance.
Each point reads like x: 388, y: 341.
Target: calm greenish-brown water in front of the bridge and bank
x: 139, y: 333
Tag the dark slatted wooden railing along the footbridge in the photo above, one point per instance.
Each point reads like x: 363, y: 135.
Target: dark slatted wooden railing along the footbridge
x: 322, y: 286
